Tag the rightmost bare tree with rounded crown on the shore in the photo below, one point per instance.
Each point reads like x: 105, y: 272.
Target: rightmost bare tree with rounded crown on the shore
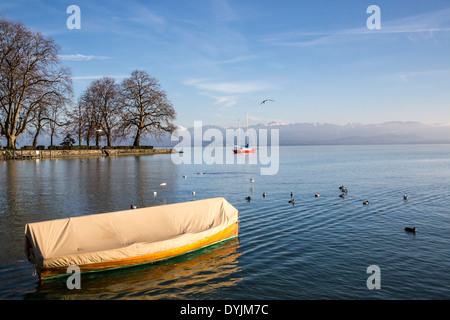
x: 146, y: 107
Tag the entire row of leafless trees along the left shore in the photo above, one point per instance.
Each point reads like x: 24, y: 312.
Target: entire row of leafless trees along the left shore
x: 36, y: 95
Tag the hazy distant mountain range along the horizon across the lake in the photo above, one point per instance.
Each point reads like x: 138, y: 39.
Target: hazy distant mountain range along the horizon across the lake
x: 395, y: 132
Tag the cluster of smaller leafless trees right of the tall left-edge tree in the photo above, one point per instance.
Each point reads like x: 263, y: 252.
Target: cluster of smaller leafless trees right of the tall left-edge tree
x: 114, y: 111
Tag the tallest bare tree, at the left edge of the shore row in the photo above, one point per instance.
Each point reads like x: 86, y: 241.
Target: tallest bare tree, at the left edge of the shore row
x: 30, y: 76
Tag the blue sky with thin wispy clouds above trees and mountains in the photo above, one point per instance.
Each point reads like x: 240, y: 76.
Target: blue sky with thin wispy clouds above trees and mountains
x: 218, y: 59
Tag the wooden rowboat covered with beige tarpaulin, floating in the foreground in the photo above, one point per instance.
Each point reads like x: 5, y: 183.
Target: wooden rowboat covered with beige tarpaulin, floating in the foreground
x: 126, y: 238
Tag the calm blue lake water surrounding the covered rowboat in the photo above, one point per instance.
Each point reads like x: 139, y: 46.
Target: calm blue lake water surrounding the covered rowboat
x: 318, y: 249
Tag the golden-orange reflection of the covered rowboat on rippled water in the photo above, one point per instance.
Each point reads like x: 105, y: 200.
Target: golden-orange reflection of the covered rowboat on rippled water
x: 194, y: 275
